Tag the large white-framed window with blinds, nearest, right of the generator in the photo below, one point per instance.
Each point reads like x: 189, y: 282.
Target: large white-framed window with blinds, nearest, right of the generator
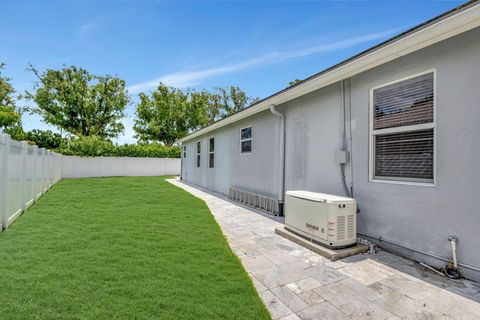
x: 403, y: 130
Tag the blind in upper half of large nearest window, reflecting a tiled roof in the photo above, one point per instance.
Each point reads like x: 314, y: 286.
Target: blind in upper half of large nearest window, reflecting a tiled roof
x: 404, y: 103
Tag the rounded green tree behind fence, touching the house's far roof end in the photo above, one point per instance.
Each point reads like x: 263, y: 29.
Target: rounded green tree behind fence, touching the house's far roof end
x: 163, y: 116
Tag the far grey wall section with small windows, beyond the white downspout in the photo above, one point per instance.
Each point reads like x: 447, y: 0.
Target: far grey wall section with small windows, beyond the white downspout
x: 256, y: 172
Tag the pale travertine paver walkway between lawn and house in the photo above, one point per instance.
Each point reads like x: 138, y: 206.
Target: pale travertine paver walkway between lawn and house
x: 295, y: 283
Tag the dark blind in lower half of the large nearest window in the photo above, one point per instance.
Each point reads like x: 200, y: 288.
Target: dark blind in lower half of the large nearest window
x: 405, y: 155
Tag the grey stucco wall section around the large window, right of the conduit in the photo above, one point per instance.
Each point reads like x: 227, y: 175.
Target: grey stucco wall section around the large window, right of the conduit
x: 423, y: 217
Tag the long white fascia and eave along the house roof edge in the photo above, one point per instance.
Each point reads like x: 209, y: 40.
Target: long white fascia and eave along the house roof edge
x: 438, y: 31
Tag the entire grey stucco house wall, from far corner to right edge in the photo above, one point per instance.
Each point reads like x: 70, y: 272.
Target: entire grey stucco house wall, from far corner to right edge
x: 412, y: 220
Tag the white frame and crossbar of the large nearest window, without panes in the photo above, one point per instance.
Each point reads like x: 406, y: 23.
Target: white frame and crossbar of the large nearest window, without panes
x: 409, y: 128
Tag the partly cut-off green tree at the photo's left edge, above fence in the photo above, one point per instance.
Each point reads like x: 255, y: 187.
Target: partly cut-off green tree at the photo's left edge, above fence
x: 10, y: 116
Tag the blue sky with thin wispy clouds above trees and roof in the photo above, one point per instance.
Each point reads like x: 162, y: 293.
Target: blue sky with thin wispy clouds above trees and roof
x: 257, y: 45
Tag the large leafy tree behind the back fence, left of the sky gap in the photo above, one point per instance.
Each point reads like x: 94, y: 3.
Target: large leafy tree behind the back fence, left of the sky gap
x: 80, y: 103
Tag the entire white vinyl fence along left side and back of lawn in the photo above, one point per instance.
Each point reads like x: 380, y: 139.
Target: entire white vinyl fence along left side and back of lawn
x: 27, y: 172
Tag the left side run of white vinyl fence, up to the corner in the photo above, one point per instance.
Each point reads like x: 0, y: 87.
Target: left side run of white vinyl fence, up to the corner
x: 26, y: 173
